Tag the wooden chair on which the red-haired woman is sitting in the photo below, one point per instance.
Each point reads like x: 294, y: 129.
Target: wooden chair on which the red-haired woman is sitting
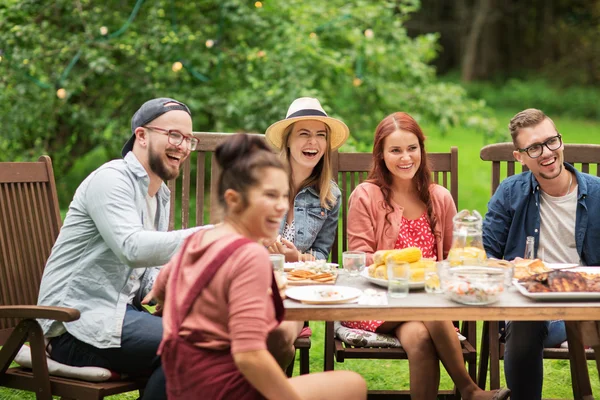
x: 351, y: 169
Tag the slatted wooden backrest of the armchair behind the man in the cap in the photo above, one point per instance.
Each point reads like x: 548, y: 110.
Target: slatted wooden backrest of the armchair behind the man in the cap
x: 29, y: 225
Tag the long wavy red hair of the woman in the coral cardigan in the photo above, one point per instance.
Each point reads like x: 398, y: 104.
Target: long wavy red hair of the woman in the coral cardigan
x: 382, y: 177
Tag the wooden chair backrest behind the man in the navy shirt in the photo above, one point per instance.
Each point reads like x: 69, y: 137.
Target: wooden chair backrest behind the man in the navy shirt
x: 585, y: 157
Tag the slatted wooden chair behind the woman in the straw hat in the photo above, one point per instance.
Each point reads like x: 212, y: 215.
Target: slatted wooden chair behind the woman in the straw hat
x: 197, y: 189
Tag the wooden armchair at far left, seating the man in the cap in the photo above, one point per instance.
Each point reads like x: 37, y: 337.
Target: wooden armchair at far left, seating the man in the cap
x: 29, y: 224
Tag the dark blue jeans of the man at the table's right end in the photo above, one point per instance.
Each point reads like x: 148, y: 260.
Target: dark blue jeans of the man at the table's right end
x: 523, y: 355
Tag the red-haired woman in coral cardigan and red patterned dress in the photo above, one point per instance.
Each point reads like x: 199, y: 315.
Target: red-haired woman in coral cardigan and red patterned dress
x: 398, y: 206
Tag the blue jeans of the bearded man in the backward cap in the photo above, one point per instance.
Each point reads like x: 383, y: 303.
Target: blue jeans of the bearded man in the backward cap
x: 140, y: 338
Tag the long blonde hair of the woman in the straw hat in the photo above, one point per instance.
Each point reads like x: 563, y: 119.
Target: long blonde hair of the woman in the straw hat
x: 320, y: 176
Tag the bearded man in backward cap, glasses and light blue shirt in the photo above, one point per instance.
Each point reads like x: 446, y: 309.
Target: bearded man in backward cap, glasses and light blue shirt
x: 113, y: 238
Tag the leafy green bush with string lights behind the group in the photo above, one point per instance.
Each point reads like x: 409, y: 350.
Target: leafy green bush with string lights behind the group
x: 262, y: 58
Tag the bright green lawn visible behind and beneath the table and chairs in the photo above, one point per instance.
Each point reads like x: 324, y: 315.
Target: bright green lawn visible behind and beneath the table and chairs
x: 474, y: 192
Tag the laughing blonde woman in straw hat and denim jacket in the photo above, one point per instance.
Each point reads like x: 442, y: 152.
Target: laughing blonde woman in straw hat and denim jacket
x: 305, y: 140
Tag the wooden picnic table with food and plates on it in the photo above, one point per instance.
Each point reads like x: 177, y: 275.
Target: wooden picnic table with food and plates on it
x: 422, y: 306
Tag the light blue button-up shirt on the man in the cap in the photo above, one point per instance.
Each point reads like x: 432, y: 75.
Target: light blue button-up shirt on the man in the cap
x: 101, y: 250
